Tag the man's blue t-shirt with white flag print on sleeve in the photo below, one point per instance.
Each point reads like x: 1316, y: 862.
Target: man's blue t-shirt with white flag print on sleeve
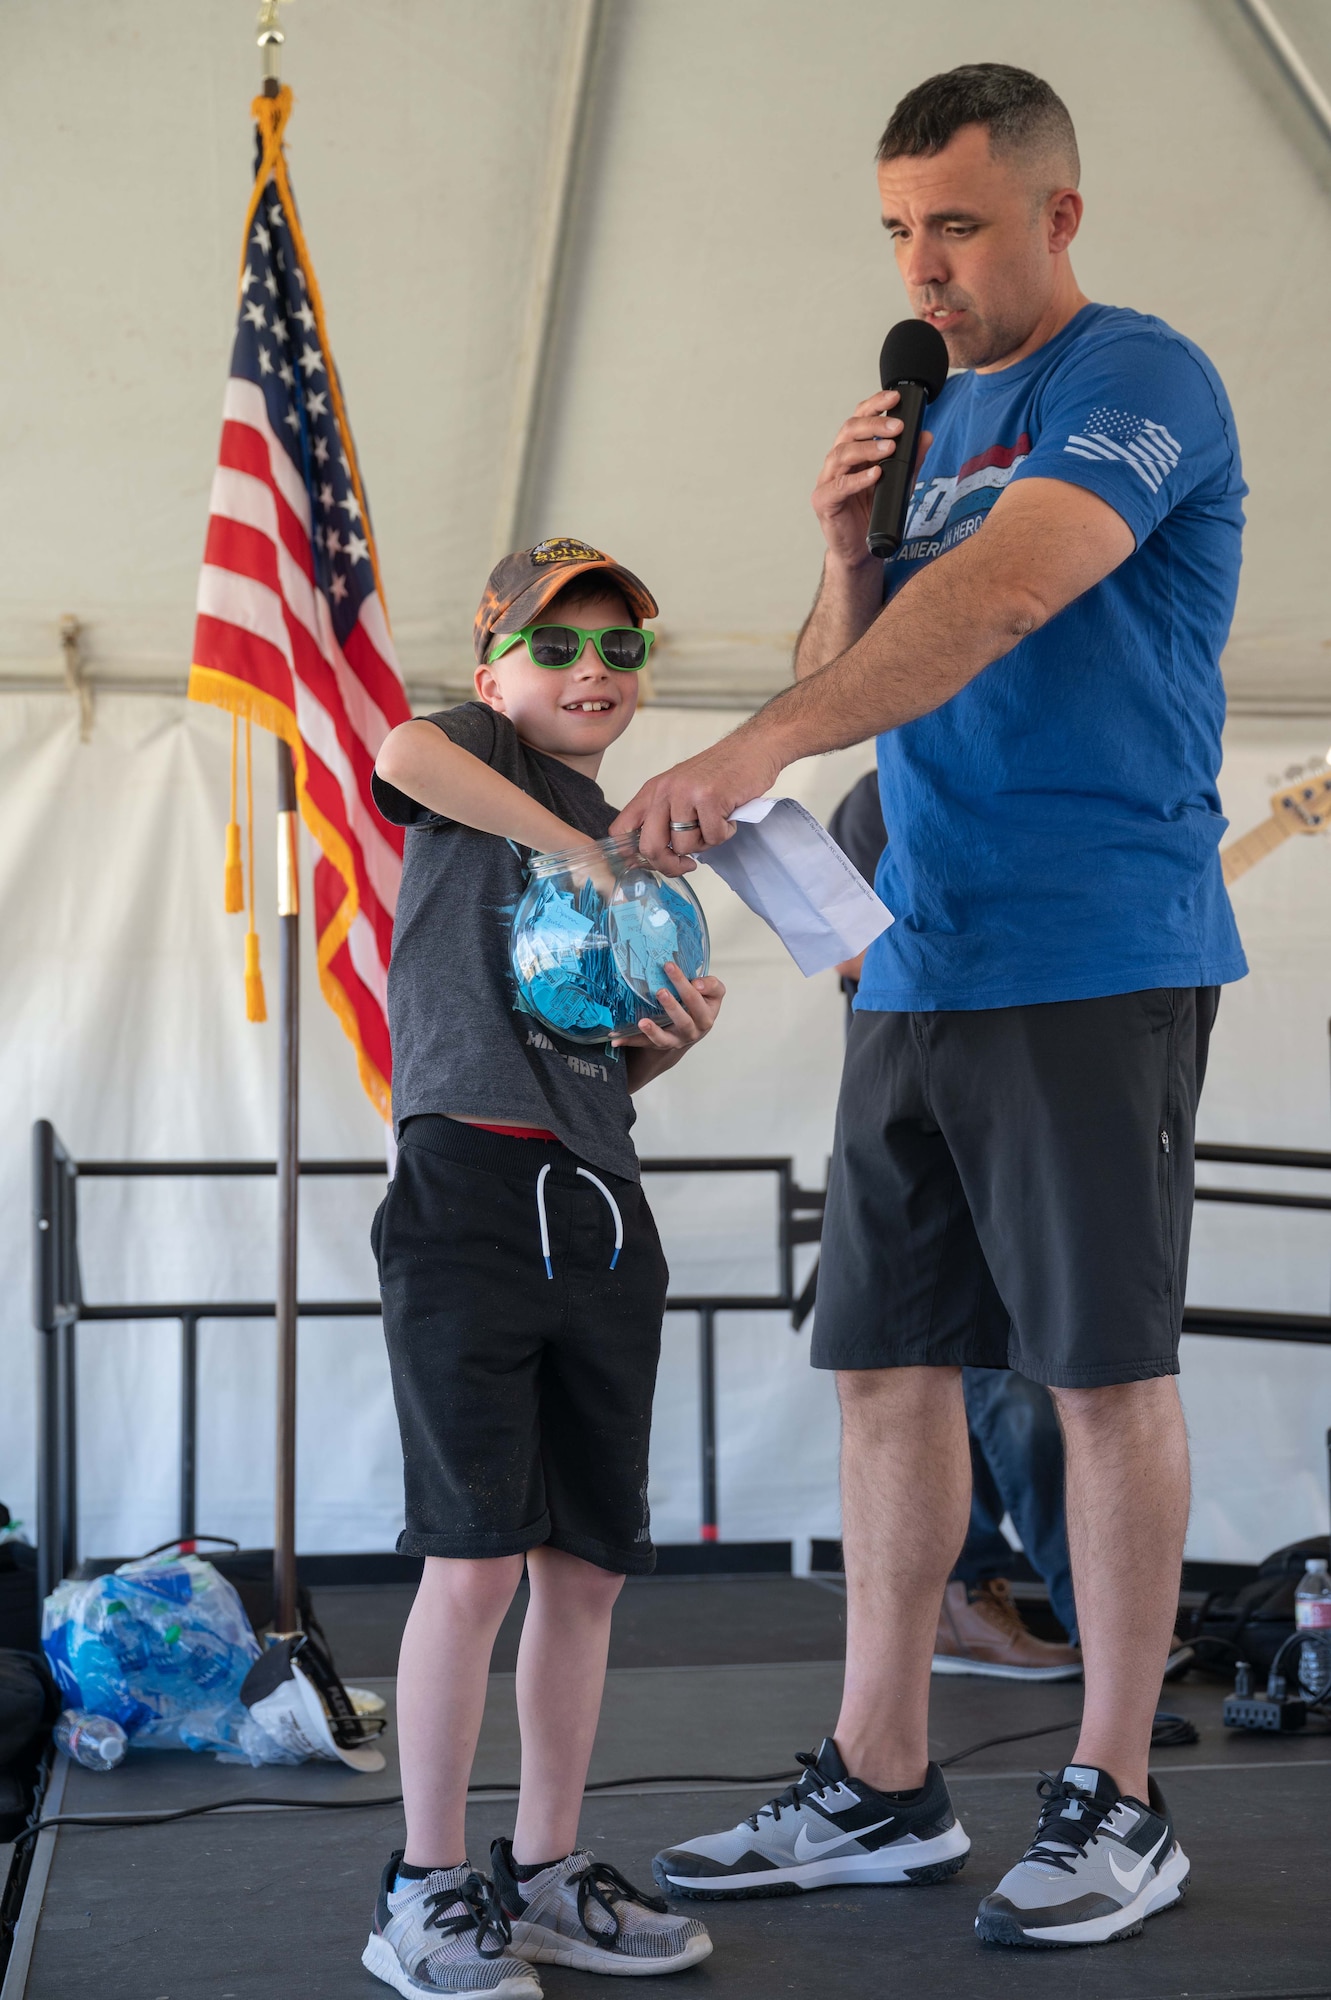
x: 1054, y: 829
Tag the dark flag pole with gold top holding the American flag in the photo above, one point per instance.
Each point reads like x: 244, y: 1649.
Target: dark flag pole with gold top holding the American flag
x: 285, y: 1615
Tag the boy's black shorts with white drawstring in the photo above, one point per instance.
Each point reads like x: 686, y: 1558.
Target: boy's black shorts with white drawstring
x: 523, y: 1309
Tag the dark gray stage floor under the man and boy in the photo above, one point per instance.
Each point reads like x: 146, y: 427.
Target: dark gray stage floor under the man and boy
x: 263, y: 1903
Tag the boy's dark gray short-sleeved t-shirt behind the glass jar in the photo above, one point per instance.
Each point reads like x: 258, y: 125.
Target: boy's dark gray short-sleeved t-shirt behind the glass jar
x: 459, y: 1043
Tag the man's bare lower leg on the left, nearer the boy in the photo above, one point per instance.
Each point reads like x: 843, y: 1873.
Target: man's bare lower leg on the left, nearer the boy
x: 906, y: 1497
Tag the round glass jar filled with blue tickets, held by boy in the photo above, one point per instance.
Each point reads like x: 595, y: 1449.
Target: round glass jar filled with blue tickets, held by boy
x: 593, y: 937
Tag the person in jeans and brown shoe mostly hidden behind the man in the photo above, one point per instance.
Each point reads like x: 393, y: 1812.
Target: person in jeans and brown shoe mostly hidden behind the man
x: 1014, y: 1435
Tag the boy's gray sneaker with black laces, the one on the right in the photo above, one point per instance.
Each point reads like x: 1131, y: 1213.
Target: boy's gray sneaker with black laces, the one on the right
x: 583, y: 1913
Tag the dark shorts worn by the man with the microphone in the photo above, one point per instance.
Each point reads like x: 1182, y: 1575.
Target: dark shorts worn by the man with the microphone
x: 1014, y: 1189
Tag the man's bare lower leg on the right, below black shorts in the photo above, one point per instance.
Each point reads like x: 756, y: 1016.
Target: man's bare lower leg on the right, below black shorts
x: 1126, y: 1521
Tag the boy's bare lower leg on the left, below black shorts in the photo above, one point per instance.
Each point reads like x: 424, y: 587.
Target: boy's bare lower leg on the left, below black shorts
x: 443, y: 1675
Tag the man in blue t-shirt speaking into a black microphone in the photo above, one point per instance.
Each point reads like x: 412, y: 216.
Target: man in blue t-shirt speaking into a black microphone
x: 1012, y: 1171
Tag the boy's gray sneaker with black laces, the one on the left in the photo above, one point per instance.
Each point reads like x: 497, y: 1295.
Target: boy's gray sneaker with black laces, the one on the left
x: 445, y: 1935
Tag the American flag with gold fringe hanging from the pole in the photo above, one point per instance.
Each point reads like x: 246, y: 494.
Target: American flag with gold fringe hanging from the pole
x: 291, y: 611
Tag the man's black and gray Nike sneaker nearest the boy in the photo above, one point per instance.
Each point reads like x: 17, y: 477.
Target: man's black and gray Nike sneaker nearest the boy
x: 826, y: 1829
